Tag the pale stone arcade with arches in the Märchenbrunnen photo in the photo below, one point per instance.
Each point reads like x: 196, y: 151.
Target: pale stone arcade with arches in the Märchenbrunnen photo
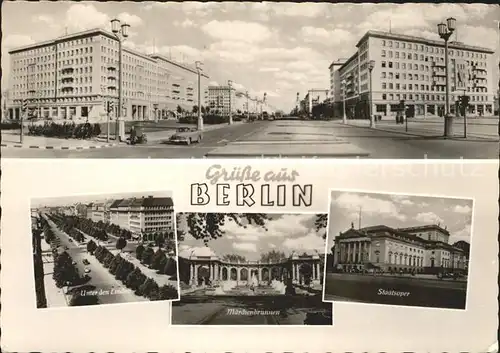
x: 200, y: 268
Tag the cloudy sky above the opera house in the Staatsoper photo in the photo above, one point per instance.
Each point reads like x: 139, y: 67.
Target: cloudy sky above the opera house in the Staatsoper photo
x: 399, y: 211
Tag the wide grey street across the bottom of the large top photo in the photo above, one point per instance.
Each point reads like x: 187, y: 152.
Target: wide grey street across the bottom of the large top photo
x: 307, y: 138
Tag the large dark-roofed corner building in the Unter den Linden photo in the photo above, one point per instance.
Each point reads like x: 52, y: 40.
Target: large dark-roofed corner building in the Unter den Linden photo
x: 145, y: 217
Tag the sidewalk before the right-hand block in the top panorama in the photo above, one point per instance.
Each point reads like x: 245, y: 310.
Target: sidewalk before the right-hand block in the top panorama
x: 424, y: 128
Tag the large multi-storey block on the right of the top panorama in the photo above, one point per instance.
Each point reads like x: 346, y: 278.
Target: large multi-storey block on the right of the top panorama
x: 412, y: 69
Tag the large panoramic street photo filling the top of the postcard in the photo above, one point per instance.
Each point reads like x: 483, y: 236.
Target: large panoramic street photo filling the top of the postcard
x: 250, y: 80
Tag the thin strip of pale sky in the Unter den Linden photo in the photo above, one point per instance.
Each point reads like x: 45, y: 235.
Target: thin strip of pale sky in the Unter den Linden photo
x: 71, y: 200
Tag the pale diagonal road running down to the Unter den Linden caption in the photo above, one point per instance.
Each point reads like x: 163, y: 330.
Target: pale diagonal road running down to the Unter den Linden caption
x: 100, y: 277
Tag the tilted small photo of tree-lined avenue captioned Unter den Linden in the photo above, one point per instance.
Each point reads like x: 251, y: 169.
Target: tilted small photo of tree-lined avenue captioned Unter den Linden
x: 104, y: 249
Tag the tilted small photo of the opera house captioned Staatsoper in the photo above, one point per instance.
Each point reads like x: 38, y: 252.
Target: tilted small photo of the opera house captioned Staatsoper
x: 396, y: 249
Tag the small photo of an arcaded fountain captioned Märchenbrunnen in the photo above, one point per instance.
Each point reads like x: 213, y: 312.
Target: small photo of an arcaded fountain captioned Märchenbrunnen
x: 251, y: 269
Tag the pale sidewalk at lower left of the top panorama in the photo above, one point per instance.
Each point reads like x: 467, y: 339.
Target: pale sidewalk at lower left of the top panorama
x: 11, y: 139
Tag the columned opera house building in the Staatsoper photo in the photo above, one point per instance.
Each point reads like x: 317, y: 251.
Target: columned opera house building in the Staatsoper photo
x: 423, y: 249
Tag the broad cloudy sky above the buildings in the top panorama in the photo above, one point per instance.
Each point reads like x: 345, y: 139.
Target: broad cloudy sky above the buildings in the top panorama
x: 277, y: 48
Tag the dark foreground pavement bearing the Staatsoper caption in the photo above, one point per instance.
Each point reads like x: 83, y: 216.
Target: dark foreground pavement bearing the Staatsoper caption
x: 420, y: 292
